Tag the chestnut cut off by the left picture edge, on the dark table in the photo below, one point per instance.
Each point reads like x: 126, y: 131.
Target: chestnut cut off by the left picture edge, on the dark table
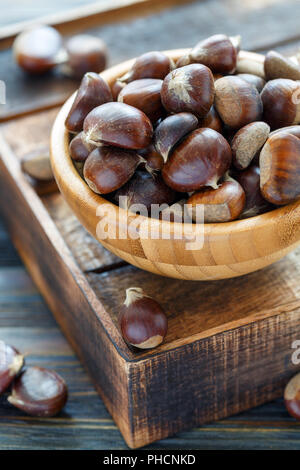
x: 11, y: 363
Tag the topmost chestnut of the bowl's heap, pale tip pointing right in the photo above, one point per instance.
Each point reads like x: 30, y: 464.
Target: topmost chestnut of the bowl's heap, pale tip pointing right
x: 218, y: 52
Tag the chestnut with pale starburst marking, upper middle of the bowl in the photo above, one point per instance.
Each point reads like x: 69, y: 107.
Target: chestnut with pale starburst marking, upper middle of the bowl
x: 189, y: 89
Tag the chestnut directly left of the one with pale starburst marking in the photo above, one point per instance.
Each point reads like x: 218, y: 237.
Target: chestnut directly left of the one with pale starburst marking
x: 144, y: 94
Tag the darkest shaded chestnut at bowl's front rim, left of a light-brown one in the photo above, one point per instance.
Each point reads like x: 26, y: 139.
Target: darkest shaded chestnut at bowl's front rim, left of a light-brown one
x: 145, y: 188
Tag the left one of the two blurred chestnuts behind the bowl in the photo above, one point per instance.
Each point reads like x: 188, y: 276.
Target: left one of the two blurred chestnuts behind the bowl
x: 37, y: 50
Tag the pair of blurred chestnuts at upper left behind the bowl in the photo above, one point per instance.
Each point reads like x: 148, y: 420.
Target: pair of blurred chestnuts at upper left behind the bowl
x: 41, y: 48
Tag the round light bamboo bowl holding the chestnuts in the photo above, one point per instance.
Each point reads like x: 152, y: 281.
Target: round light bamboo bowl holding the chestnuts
x: 229, y: 249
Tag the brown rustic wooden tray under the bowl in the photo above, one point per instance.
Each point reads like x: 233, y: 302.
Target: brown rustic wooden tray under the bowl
x: 229, y: 343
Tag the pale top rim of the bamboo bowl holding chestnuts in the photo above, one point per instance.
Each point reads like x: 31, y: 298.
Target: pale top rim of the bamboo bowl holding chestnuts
x: 68, y: 178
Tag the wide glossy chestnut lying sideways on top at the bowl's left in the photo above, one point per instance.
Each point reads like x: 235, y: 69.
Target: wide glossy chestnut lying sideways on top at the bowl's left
x: 118, y: 124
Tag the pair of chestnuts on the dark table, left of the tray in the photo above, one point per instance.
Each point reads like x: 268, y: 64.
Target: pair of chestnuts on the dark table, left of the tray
x: 35, y: 390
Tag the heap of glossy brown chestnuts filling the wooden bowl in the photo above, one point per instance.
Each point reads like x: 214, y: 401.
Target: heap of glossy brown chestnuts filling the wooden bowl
x: 201, y: 131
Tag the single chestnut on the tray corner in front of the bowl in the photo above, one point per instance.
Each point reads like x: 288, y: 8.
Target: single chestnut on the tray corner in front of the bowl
x: 142, y: 320
